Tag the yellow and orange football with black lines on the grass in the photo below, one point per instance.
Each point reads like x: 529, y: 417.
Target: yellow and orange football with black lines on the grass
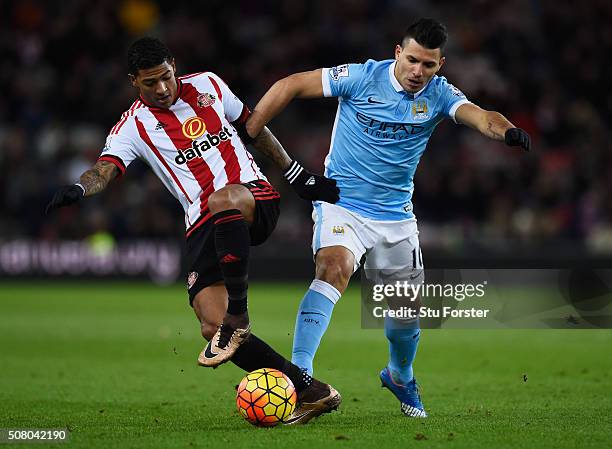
x: 266, y: 397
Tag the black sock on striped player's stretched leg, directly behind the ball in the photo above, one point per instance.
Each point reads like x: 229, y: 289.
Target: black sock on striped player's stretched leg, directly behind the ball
x: 255, y: 353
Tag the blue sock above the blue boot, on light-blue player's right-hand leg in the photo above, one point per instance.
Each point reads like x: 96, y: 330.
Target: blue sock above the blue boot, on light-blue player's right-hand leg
x: 403, y: 341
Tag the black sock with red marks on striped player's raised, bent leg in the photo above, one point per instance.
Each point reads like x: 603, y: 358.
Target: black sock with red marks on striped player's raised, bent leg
x: 233, y: 245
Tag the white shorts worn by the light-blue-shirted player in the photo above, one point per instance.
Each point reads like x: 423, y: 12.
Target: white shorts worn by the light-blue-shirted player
x: 392, y: 246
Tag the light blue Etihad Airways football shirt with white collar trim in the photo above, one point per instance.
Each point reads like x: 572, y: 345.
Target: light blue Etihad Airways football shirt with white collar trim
x: 379, y: 135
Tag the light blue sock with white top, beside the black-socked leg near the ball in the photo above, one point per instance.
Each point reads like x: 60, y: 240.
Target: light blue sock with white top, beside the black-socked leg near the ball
x: 311, y: 322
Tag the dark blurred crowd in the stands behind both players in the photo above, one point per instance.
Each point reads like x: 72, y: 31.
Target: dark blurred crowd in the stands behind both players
x: 542, y: 63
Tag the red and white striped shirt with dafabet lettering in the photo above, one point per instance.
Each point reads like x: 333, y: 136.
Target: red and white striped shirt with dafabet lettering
x: 192, y: 146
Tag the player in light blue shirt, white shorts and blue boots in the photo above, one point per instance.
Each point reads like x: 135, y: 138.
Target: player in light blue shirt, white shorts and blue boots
x: 387, y: 110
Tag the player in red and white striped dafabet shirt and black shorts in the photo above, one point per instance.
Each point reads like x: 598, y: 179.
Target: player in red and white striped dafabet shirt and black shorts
x: 191, y: 131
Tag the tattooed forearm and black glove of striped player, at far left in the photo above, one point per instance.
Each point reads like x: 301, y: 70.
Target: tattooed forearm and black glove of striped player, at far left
x: 91, y: 182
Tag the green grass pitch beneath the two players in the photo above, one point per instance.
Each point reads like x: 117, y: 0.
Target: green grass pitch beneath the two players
x: 116, y: 364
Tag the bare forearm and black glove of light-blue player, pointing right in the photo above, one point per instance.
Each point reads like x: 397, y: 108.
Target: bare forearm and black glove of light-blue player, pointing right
x: 492, y: 124
